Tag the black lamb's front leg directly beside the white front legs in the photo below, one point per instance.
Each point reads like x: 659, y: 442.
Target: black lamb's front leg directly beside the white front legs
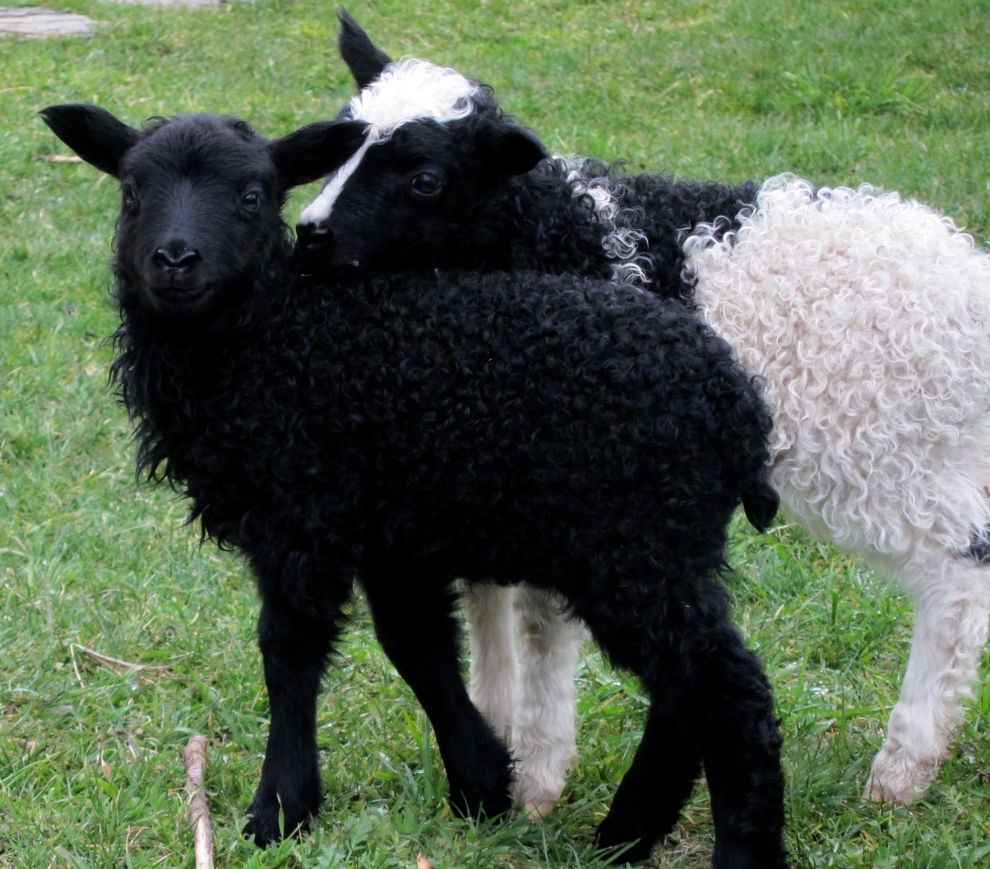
x: 418, y: 632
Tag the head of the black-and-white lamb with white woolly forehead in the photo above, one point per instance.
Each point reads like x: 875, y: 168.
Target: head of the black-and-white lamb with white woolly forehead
x: 437, y: 148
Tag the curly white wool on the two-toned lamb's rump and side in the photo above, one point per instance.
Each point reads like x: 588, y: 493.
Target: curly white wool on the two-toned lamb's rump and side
x: 869, y: 318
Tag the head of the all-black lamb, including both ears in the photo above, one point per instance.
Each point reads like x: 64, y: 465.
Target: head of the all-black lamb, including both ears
x: 200, y: 197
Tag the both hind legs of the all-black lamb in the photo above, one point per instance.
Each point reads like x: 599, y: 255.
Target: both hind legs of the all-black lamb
x: 711, y: 701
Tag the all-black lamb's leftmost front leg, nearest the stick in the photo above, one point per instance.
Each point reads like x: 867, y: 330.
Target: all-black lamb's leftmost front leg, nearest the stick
x: 295, y: 649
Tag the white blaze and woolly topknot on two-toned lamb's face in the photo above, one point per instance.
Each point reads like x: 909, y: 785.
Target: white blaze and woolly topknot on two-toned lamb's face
x: 409, y: 90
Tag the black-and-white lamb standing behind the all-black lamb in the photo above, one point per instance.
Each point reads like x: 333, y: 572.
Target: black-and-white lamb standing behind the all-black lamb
x: 867, y: 317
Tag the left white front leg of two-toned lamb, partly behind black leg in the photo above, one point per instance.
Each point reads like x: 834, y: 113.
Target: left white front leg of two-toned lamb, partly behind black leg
x: 494, y: 668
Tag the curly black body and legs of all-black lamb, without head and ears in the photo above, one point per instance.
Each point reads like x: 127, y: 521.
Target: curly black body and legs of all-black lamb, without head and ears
x: 575, y: 435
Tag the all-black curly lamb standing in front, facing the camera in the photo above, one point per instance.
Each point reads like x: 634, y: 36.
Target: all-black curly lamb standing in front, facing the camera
x: 408, y: 429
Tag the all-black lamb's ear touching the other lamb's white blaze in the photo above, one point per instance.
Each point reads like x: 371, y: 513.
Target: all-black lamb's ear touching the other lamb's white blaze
x: 316, y: 150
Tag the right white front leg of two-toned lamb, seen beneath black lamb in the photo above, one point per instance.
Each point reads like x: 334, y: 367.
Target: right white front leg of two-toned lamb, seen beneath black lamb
x: 544, y: 731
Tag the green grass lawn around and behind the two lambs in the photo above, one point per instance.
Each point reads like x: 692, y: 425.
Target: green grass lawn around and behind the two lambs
x: 893, y: 93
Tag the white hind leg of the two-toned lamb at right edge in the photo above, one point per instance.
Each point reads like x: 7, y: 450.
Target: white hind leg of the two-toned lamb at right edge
x: 952, y: 611
